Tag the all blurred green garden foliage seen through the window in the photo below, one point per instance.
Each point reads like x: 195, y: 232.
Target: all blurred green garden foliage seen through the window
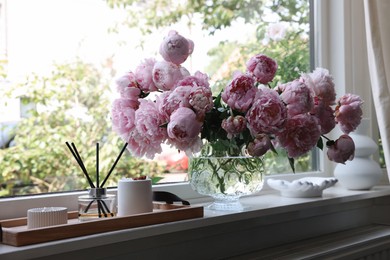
x: 72, y: 103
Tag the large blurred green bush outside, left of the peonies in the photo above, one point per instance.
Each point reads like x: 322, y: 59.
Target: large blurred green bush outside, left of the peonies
x: 70, y: 105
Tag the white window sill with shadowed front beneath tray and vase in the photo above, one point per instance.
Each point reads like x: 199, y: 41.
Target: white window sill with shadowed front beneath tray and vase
x: 270, y: 220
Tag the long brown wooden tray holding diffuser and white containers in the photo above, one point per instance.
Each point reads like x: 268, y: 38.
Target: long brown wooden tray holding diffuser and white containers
x: 14, y: 232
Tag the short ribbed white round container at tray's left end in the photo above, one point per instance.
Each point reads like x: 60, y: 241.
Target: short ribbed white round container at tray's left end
x: 47, y: 216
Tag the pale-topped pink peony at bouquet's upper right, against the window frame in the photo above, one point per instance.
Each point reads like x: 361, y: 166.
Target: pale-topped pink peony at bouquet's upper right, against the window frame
x: 322, y: 84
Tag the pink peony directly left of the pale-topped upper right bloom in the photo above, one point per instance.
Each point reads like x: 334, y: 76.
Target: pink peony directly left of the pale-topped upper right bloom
x: 298, y: 98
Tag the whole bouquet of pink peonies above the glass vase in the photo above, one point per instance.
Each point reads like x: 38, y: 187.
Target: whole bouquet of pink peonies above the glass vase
x: 248, y: 116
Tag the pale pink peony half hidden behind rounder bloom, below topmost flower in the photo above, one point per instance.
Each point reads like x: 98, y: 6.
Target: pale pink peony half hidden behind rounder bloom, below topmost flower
x: 144, y: 75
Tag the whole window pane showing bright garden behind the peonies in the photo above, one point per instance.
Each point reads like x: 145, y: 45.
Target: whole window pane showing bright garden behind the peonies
x: 59, y: 59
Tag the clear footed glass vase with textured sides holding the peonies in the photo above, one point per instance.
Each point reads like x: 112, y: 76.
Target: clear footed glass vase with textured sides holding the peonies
x: 226, y: 179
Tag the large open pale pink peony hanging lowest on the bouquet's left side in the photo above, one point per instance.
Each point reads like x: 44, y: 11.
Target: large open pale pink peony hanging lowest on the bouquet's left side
x: 148, y: 135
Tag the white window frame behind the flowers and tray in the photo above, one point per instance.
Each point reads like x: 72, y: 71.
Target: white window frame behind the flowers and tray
x: 336, y: 28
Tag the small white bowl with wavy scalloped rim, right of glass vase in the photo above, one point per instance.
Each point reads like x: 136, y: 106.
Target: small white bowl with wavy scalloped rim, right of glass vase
x: 307, y: 187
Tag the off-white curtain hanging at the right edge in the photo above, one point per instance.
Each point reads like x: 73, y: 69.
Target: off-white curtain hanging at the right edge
x: 378, y: 46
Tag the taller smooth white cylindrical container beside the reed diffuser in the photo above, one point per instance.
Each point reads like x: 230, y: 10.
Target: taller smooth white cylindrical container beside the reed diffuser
x: 134, y: 196
